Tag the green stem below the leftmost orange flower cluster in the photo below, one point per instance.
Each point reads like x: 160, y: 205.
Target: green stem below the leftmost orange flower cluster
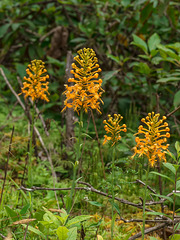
x: 30, y: 176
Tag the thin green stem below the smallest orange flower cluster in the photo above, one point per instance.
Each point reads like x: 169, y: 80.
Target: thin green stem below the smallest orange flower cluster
x: 112, y: 190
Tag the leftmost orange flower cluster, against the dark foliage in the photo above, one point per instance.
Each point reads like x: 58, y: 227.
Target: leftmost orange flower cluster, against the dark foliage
x: 36, y: 86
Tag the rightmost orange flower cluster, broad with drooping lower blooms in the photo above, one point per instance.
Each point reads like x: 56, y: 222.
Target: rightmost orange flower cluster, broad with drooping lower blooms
x: 155, y: 135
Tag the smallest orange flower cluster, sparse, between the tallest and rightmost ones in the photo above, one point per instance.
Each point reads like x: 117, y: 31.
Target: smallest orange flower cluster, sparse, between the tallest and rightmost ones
x: 114, y: 128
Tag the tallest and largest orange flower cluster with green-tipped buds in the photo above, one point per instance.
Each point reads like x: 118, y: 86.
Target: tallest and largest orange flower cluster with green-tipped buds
x: 86, y: 91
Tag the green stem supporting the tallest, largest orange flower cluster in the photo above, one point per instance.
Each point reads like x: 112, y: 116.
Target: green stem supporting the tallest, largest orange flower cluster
x: 78, y: 155
